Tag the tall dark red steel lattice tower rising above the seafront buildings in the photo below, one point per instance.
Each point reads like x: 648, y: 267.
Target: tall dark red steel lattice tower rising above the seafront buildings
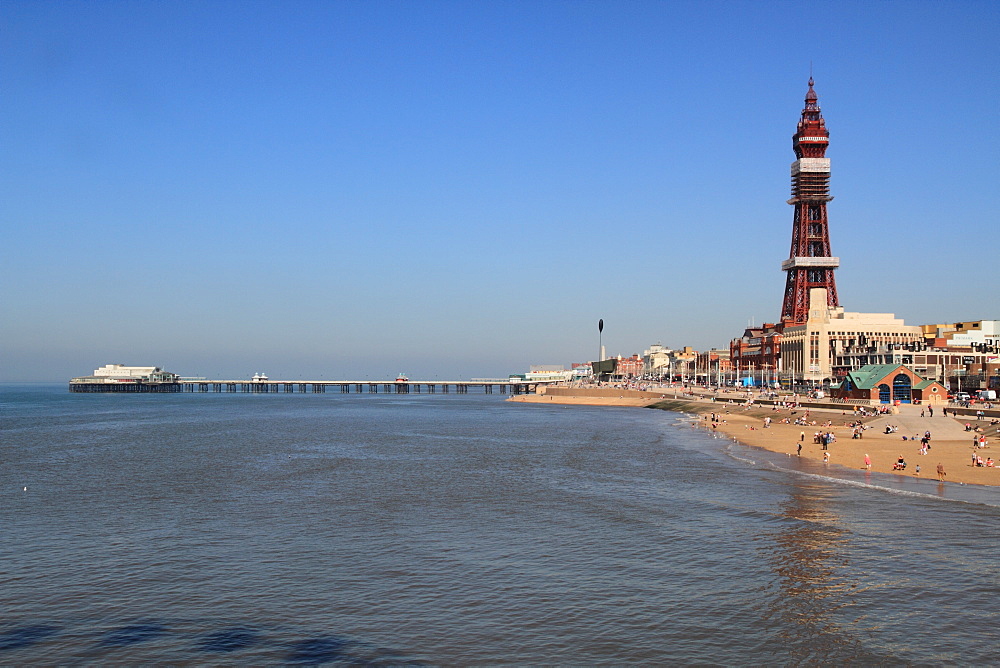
x: 809, y: 264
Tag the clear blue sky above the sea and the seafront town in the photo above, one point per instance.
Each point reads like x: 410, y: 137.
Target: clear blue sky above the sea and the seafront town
x: 460, y: 189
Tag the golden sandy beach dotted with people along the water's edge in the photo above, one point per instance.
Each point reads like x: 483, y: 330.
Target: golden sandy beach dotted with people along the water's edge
x: 950, y: 443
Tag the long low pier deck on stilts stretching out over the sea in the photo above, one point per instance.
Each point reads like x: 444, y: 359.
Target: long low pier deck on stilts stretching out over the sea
x: 489, y: 386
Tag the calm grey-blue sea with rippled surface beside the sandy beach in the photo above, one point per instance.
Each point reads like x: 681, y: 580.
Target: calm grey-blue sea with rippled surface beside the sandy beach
x: 460, y: 529
